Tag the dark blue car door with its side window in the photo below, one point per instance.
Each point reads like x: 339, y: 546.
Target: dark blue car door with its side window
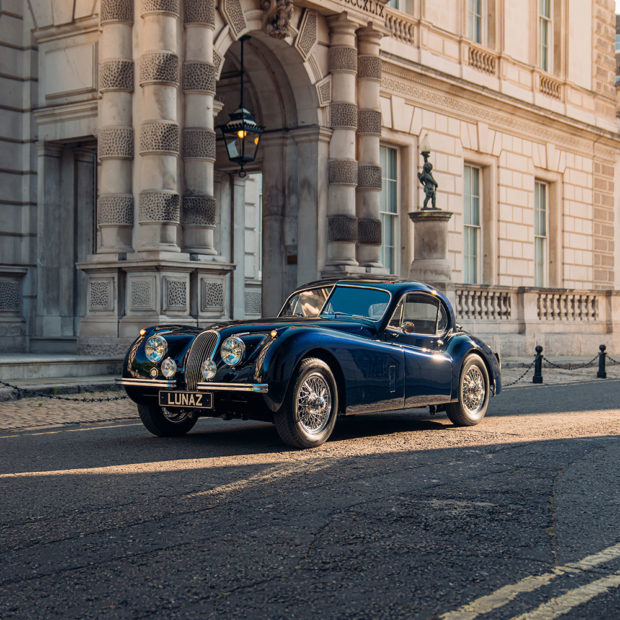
x: 419, y: 325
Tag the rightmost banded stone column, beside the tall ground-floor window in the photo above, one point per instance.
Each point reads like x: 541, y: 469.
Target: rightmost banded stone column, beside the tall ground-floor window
x: 368, y: 148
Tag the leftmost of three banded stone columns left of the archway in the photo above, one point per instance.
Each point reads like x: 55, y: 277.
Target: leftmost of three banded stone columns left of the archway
x: 115, y: 213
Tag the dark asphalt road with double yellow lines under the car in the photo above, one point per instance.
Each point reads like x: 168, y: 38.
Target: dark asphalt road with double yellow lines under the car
x: 399, y: 515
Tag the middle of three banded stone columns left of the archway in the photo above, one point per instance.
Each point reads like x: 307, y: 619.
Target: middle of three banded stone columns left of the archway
x: 159, y: 135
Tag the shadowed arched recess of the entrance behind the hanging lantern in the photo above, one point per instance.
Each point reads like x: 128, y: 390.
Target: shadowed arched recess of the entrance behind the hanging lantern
x: 280, y: 91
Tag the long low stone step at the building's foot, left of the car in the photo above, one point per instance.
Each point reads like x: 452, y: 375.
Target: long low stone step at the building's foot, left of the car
x: 37, y: 366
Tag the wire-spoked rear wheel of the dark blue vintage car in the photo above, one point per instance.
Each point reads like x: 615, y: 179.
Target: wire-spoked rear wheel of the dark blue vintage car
x: 473, y: 393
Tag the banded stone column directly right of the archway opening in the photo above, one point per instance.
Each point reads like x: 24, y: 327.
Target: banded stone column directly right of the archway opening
x: 342, y: 165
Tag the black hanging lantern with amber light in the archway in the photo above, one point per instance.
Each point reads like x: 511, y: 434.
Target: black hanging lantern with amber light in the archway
x: 241, y: 133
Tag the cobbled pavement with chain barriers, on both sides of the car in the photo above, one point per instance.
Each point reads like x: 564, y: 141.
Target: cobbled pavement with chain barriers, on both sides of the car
x: 96, y: 399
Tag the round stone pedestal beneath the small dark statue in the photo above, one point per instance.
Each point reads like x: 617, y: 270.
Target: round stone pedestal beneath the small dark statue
x: 430, y: 250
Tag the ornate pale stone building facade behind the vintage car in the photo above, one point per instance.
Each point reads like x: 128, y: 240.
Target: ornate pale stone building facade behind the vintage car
x: 119, y: 207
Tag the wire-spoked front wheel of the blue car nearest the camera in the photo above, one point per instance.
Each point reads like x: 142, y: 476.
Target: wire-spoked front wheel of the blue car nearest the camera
x: 308, y: 416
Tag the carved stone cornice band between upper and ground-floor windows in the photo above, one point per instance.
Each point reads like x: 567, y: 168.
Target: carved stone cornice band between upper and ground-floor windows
x: 419, y: 84
